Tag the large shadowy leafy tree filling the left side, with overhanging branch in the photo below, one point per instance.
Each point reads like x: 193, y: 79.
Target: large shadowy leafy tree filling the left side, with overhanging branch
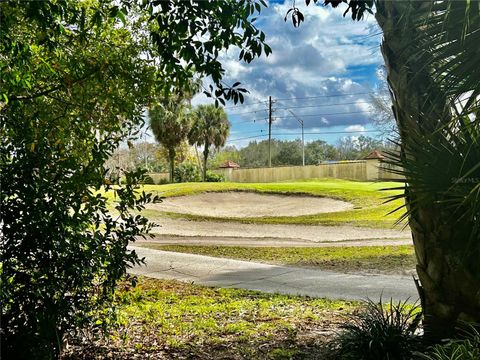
x: 76, y: 77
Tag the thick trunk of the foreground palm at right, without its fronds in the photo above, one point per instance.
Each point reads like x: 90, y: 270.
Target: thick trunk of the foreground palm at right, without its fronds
x: 449, y: 286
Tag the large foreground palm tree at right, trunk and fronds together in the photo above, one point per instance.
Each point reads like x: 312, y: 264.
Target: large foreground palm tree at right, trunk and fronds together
x: 431, y: 54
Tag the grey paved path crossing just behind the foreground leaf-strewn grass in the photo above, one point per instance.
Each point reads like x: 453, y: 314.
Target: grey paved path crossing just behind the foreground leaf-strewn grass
x: 217, y: 272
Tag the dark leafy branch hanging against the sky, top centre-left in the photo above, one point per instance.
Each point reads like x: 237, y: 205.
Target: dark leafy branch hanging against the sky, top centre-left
x: 202, y: 30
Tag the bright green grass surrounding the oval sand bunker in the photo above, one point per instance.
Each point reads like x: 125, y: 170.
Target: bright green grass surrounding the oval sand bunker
x: 368, y: 199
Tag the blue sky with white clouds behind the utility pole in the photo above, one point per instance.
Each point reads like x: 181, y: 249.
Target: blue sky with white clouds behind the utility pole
x: 323, y: 71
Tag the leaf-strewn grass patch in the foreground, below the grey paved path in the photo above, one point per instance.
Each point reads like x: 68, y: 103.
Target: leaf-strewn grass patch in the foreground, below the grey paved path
x: 161, y: 319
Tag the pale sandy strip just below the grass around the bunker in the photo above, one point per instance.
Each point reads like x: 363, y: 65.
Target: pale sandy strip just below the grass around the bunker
x: 316, y: 233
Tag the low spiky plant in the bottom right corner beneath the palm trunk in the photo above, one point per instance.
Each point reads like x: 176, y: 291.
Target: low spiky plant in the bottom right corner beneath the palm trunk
x: 467, y: 348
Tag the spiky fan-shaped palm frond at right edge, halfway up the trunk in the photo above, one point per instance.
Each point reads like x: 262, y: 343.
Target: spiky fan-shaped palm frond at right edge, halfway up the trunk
x: 443, y: 168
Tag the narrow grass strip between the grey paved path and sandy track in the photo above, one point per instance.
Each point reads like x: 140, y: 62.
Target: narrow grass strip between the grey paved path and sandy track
x: 378, y: 259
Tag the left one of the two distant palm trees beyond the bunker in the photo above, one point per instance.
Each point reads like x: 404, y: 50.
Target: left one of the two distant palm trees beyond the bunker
x: 170, y: 122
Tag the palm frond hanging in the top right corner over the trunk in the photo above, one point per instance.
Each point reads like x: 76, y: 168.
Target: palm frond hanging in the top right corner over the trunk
x: 451, y: 37
